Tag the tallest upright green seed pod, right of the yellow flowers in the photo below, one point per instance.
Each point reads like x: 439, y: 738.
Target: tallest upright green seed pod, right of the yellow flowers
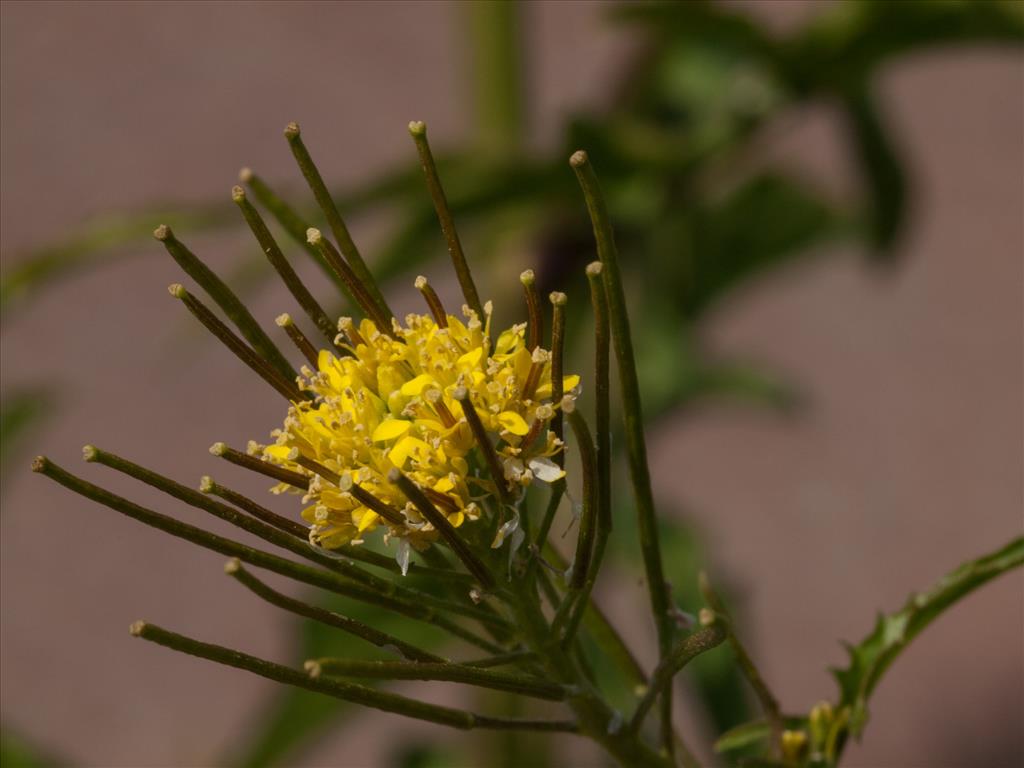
x: 633, y: 417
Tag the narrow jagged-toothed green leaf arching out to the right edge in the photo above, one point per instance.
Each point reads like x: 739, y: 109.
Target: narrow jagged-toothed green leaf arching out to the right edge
x: 872, y: 657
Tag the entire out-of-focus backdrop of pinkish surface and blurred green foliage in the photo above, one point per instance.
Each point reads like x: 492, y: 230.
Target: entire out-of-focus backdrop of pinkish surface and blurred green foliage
x: 821, y: 204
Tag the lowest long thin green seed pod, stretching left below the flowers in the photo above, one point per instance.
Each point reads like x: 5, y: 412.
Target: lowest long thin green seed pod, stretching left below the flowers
x: 359, y: 695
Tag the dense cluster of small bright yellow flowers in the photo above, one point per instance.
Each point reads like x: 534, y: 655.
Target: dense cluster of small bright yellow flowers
x: 395, y: 404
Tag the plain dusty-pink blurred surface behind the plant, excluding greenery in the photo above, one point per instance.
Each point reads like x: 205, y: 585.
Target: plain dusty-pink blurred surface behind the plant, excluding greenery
x: 909, y: 461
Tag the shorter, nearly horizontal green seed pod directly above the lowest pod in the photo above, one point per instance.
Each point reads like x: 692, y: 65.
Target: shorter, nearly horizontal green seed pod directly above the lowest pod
x: 453, y: 673
